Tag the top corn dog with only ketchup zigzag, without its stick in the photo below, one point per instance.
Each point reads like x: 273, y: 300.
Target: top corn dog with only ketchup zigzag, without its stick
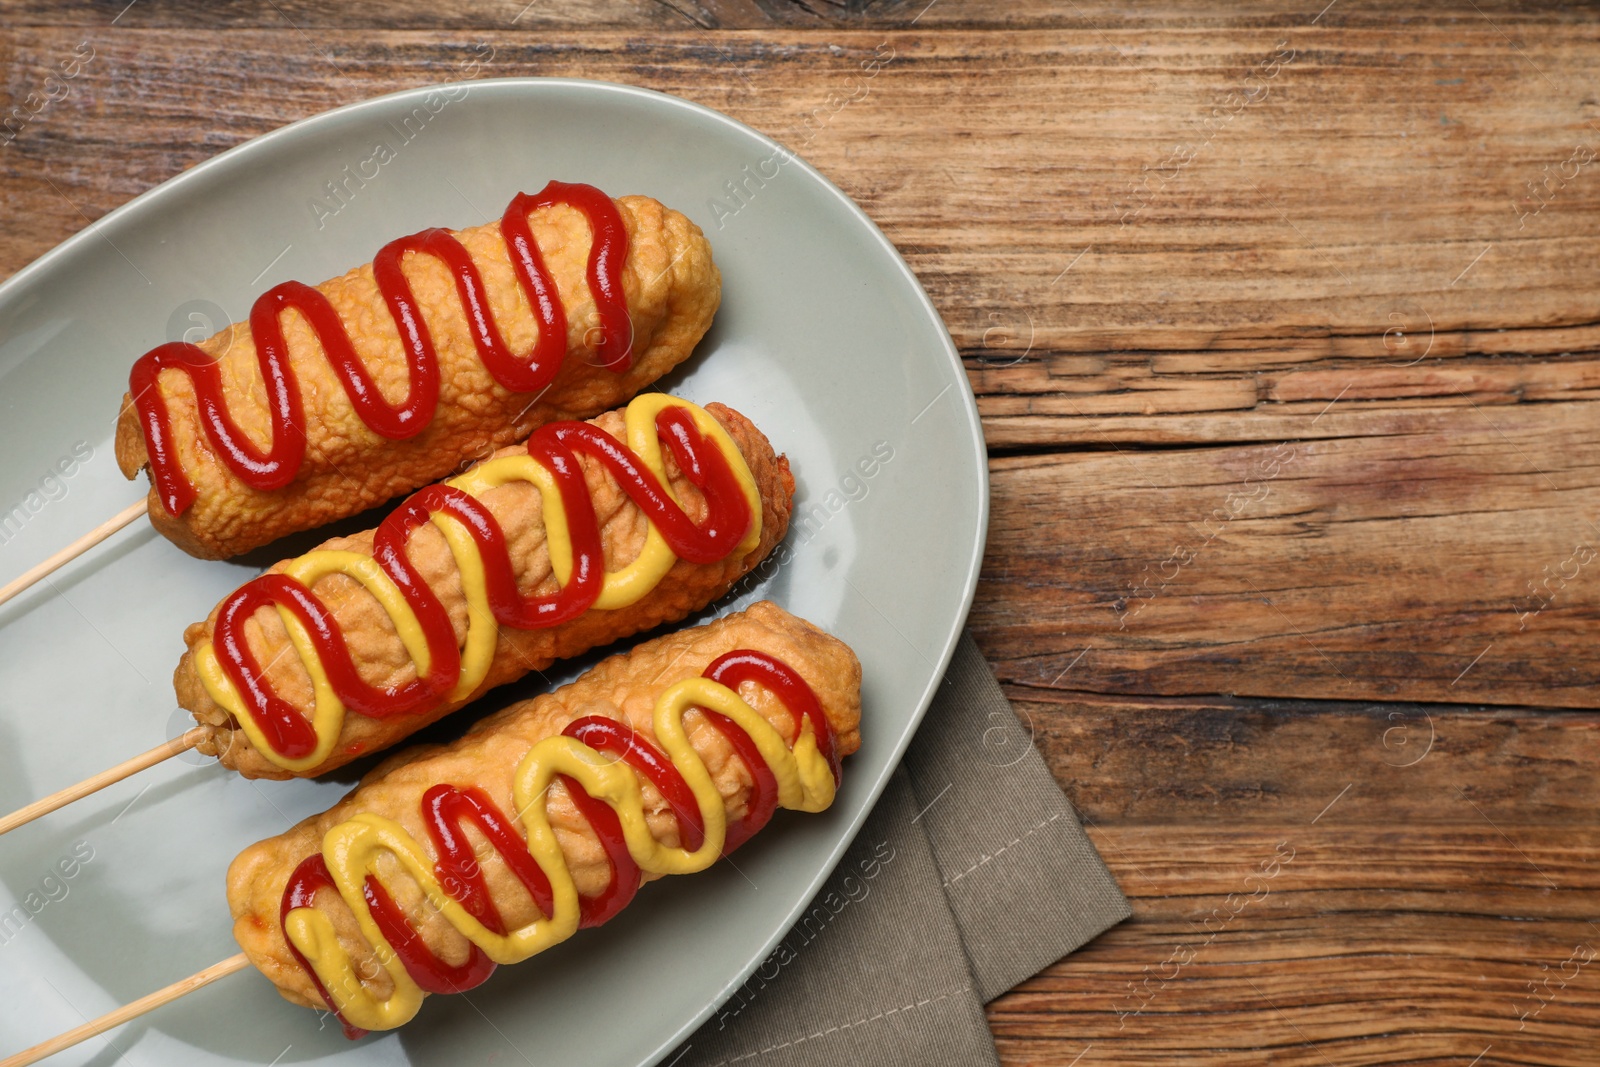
x: 449, y: 345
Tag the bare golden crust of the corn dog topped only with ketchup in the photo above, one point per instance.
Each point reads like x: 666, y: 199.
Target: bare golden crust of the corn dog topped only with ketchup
x: 673, y: 292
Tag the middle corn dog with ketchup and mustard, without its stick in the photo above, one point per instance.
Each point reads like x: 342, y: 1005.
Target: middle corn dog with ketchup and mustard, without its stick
x: 586, y: 535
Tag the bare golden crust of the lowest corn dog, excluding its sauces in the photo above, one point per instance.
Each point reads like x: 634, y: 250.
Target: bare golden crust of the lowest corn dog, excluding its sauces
x: 623, y: 687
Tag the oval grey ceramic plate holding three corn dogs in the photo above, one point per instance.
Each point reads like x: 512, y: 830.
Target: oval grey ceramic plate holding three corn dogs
x: 825, y: 340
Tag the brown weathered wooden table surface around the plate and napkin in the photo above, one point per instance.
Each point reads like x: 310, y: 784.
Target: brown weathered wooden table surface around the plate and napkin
x: 1284, y: 327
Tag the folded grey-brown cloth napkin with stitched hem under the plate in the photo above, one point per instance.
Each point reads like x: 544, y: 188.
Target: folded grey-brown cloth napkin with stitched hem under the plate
x: 969, y: 877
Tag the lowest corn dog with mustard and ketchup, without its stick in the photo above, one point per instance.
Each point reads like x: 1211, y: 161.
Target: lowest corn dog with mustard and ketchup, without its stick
x: 617, y: 780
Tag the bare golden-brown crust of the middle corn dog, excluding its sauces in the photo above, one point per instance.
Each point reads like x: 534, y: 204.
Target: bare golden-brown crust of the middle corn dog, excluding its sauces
x: 383, y: 660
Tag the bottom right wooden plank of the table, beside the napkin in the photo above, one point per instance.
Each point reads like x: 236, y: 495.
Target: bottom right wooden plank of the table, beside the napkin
x: 1438, y: 873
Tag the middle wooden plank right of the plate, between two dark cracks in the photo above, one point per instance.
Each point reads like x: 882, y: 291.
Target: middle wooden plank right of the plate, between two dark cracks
x: 1449, y: 559
